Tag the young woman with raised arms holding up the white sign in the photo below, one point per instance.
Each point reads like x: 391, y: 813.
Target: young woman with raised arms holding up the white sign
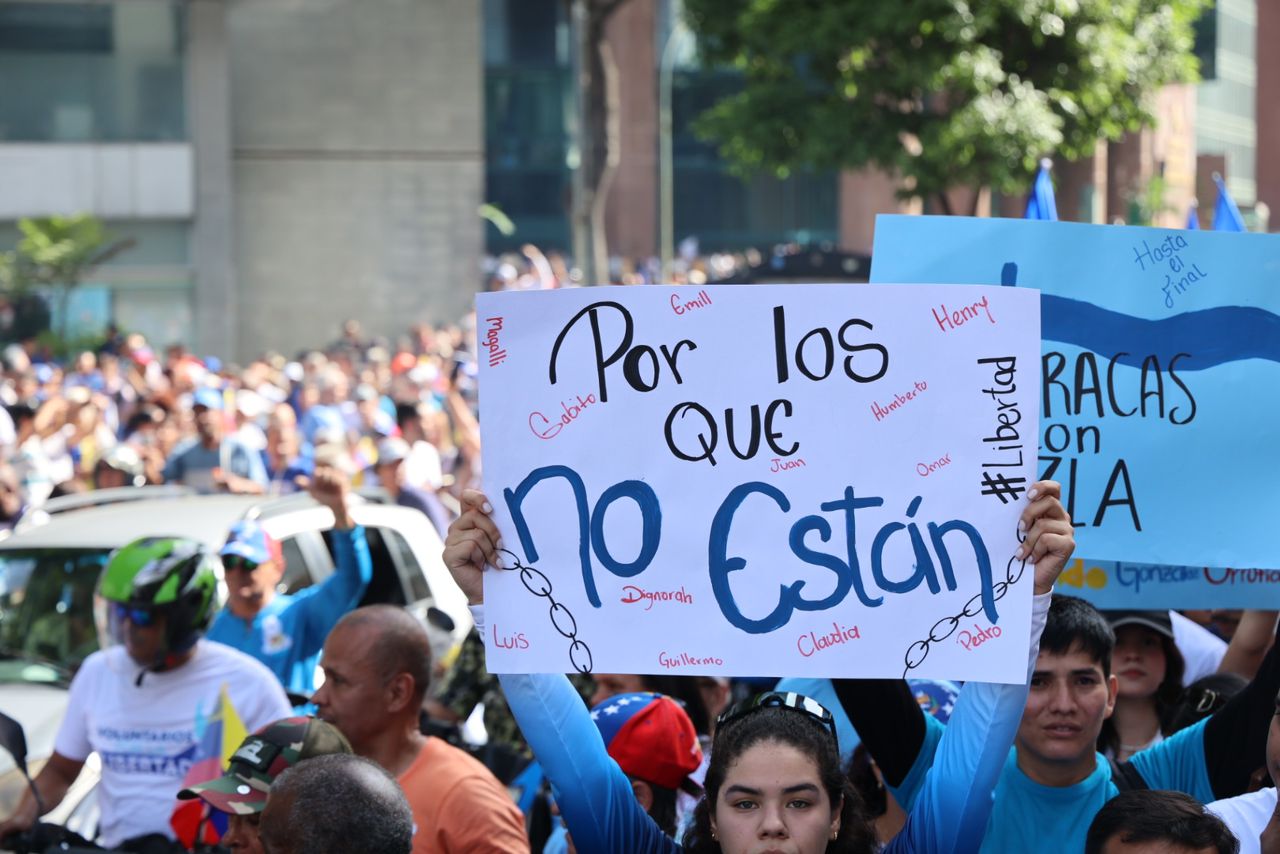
x: 775, y: 782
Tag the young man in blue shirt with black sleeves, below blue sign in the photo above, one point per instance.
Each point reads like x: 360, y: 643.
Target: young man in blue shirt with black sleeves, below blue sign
x: 1054, y: 782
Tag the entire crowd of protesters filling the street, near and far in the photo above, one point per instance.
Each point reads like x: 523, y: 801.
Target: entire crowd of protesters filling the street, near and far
x: 1135, y: 732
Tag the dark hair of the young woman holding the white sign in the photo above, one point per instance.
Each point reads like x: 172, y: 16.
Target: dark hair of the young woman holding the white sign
x: 798, y: 730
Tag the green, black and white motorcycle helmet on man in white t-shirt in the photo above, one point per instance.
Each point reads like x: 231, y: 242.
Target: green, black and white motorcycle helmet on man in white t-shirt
x: 161, y: 576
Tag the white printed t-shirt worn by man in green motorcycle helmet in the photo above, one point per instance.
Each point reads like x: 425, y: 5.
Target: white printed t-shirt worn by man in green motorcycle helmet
x: 147, y: 734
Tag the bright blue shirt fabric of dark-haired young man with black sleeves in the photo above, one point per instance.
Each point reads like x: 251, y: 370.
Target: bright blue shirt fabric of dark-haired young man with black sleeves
x: 1032, y: 818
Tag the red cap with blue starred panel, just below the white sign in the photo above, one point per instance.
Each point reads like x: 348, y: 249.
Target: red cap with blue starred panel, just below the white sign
x: 651, y: 738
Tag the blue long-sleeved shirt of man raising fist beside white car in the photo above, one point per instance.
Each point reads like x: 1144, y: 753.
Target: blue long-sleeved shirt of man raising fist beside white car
x: 290, y: 632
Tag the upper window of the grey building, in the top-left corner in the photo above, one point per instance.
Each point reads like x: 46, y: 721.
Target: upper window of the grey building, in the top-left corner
x: 103, y: 72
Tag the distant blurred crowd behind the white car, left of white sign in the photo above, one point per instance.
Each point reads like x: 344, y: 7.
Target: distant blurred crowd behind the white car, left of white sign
x: 399, y: 415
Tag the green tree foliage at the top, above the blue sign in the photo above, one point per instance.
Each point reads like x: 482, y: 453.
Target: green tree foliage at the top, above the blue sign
x: 944, y: 93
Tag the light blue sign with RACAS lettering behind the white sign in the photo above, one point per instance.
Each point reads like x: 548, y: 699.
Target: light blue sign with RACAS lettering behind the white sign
x: 1162, y: 357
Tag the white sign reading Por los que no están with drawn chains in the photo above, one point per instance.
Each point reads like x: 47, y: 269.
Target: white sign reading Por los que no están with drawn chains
x: 801, y: 481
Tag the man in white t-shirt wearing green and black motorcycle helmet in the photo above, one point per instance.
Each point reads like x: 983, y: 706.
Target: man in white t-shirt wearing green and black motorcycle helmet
x: 145, y: 705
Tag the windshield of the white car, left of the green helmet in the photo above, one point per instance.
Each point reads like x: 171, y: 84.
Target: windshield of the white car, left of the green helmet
x: 47, y: 613
